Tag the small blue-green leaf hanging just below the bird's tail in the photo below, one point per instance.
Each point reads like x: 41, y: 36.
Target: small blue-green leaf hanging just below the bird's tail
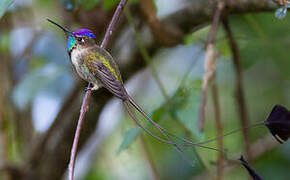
x: 129, y: 138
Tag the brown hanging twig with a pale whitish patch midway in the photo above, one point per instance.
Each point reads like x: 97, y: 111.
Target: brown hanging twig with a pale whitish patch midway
x: 209, y: 60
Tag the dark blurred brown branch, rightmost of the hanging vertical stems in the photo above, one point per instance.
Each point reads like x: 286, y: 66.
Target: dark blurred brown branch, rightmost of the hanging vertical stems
x: 239, y: 92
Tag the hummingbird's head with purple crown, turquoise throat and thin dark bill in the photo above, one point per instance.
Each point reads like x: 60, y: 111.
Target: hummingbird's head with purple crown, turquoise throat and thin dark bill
x: 80, y: 38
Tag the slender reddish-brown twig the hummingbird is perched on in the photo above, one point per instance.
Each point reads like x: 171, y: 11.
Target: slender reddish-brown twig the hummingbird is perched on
x: 85, y: 103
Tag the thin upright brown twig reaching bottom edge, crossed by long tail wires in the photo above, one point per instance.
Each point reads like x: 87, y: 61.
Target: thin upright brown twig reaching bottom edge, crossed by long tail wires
x: 219, y: 128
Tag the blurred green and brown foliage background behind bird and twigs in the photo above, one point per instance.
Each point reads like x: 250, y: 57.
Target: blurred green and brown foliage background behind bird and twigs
x: 40, y: 95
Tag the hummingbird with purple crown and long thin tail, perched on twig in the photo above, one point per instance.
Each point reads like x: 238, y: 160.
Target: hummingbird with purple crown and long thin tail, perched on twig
x: 96, y: 66
